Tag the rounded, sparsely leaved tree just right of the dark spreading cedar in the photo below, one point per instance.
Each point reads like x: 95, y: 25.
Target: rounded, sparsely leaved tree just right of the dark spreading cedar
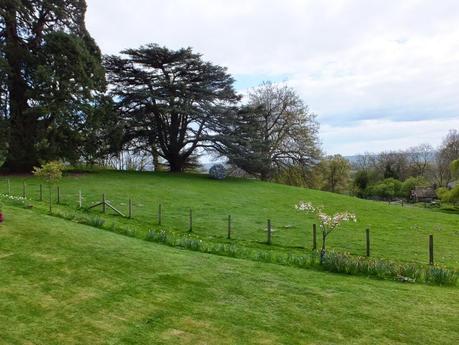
x: 273, y: 130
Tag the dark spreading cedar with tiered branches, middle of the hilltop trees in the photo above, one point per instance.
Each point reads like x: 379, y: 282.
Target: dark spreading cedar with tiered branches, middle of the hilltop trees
x: 167, y: 99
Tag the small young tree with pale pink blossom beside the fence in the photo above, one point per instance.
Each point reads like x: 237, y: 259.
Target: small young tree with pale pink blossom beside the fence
x: 328, y: 223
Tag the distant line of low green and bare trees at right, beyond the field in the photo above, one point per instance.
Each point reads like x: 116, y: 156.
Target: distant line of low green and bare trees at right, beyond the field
x: 390, y: 174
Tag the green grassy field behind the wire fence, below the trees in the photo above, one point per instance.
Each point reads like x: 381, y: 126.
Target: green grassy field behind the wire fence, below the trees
x: 397, y: 233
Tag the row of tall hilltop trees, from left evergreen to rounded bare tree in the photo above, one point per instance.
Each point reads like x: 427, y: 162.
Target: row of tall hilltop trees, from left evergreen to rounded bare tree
x: 61, y: 99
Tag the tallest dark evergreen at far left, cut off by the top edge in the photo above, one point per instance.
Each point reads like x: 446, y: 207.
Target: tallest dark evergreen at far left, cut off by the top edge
x: 51, y: 68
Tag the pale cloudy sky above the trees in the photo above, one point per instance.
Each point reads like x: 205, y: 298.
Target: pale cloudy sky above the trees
x: 380, y: 75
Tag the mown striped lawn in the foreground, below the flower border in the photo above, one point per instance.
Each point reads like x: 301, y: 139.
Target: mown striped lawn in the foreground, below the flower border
x: 66, y: 283
